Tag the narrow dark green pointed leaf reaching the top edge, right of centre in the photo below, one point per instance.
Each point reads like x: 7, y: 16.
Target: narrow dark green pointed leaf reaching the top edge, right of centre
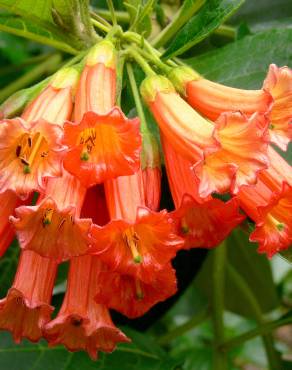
x: 211, y: 15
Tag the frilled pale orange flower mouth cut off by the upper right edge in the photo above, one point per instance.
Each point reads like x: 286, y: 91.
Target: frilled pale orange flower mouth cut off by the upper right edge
x: 279, y: 84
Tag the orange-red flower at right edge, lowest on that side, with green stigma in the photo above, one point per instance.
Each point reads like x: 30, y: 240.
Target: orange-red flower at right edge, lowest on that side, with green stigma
x: 269, y: 205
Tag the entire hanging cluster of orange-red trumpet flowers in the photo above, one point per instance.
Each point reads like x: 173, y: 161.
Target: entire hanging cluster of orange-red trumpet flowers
x: 98, y: 179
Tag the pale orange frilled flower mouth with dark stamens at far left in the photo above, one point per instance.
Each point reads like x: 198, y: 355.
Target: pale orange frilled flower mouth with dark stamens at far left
x: 29, y: 153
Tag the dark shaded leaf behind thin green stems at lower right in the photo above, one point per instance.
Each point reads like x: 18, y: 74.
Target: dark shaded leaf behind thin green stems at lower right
x: 253, y: 267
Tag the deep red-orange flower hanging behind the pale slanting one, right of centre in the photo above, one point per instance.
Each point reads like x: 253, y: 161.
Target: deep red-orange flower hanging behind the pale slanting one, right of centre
x: 202, y: 222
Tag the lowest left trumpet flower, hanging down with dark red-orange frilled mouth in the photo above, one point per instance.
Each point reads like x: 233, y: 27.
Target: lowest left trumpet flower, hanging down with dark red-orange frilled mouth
x: 26, y: 309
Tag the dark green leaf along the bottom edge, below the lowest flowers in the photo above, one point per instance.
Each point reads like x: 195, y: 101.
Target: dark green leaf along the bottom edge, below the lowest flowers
x: 142, y: 354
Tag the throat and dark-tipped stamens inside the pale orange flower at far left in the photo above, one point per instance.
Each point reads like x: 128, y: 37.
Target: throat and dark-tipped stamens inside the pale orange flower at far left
x: 28, y: 148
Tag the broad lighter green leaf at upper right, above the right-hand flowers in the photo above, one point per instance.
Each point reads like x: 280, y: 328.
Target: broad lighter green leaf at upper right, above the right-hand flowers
x: 244, y: 63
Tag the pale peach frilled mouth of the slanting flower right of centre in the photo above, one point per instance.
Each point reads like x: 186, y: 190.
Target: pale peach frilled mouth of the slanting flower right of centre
x: 244, y: 146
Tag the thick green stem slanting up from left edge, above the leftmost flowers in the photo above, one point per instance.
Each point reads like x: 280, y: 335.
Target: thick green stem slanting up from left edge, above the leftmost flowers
x: 31, y: 76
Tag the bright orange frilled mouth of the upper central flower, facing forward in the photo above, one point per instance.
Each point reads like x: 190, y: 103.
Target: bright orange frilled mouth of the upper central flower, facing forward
x: 102, y: 147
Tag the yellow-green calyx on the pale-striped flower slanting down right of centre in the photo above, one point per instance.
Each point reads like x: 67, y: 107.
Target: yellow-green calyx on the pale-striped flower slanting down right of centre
x: 153, y: 85
